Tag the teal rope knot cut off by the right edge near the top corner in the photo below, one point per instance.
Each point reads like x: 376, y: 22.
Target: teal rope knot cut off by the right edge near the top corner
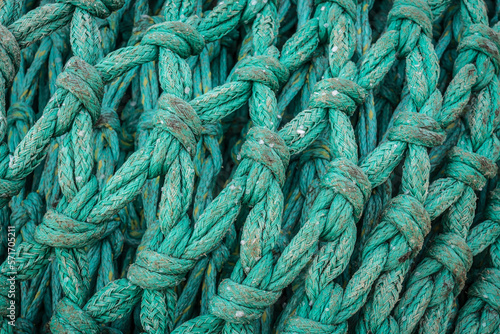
x: 483, y: 39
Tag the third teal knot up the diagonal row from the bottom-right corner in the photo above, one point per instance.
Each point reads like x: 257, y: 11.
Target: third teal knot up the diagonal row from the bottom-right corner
x: 410, y: 218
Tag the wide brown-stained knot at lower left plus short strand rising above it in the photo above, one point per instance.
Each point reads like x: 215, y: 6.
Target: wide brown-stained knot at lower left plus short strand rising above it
x: 59, y: 229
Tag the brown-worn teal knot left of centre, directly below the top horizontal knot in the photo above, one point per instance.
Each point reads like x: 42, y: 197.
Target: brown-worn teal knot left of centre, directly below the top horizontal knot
x: 178, y: 118
